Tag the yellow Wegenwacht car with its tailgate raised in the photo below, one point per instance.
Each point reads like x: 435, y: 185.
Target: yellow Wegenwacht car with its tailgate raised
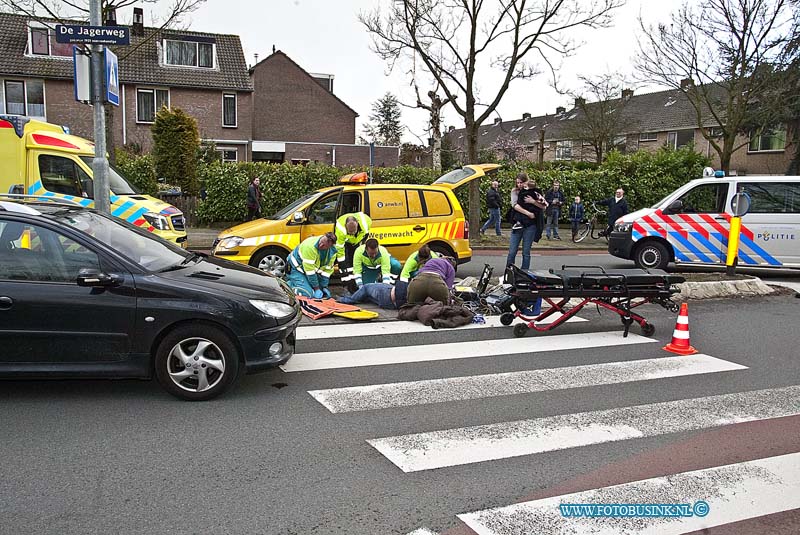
x: 404, y: 218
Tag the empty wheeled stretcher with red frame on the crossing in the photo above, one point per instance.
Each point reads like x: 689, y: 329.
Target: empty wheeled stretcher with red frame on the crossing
x: 619, y: 291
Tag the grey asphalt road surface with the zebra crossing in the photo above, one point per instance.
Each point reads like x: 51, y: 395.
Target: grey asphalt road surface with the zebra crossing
x: 89, y: 457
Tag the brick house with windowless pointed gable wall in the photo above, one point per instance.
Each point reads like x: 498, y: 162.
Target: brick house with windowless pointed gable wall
x: 297, y: 118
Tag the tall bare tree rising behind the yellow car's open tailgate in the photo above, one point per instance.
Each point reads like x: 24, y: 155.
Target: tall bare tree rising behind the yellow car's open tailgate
x: 458, y: 40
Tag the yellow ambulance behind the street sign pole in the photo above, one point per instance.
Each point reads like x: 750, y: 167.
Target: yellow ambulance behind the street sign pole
x: 38, y: 158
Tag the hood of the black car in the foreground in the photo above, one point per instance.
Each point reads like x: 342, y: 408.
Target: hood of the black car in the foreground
x: 221, y: 276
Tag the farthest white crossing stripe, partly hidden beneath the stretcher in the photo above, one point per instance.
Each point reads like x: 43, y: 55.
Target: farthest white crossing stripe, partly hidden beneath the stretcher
x: 346, y: 330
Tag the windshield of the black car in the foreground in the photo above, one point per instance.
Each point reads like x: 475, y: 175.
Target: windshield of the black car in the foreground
x: 140, y: 246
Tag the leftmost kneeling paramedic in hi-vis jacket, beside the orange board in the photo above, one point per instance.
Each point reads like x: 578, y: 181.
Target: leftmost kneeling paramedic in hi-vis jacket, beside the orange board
x: 311, y: 266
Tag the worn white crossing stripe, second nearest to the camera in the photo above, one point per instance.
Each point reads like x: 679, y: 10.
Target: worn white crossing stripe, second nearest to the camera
x: 453, y: 447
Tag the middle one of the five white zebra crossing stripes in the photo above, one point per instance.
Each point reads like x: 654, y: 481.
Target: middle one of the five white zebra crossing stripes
x: 381, y: 396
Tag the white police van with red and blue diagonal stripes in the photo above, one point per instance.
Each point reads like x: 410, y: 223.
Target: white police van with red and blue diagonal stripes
x: 691, y: 225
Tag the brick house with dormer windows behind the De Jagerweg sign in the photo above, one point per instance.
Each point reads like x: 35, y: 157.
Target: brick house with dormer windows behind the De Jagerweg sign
x: 204, y: 74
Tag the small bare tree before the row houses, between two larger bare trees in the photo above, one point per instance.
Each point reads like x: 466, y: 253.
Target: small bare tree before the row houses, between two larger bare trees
x: 600, y: 120
